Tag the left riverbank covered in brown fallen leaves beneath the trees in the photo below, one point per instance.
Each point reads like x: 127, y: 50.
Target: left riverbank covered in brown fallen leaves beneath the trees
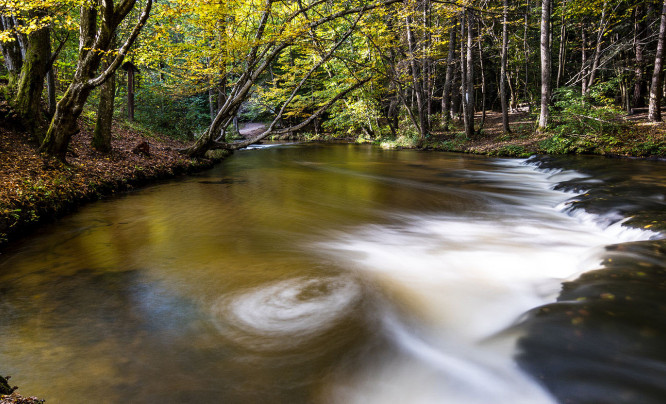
x: 35, y: 189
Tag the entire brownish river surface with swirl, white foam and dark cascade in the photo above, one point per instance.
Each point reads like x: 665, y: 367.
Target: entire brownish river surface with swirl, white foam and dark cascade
x: 349, y: 274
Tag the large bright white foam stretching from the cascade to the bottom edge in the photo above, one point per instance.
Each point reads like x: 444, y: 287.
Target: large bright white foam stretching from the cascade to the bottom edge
x: 454, y: 283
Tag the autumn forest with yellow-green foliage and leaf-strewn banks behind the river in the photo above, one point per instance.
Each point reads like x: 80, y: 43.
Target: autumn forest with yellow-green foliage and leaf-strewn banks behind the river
x: 99, y: 95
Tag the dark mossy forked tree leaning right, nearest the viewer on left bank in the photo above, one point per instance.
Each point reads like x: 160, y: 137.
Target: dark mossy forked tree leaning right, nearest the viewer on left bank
x: 98, y: 26
